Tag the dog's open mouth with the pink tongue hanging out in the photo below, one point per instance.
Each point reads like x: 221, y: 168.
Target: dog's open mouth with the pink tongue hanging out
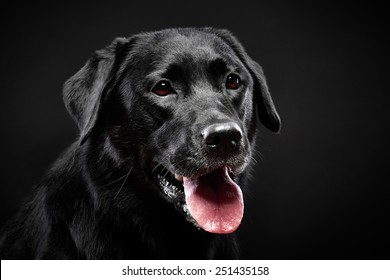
x: 213, y: 200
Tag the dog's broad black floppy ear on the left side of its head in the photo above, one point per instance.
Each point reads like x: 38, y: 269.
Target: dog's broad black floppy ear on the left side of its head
x: 85, y: 91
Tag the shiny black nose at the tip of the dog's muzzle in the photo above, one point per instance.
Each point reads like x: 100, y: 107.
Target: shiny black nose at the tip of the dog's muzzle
x: 222, y: 137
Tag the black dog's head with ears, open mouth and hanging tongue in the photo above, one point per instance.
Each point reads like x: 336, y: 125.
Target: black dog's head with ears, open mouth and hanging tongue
x: 180, y: 103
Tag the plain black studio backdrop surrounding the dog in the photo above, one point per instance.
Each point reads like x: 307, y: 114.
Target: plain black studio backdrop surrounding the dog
x: 319, y: 189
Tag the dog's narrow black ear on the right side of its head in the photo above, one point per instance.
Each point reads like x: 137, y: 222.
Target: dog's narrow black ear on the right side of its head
x: 265, y: 106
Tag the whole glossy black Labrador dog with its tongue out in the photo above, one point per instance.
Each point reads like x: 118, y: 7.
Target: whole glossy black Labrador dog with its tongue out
x: 167, y: 126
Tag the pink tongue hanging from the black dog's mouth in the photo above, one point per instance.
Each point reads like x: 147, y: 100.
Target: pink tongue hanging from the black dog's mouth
x: 214, y: 201
